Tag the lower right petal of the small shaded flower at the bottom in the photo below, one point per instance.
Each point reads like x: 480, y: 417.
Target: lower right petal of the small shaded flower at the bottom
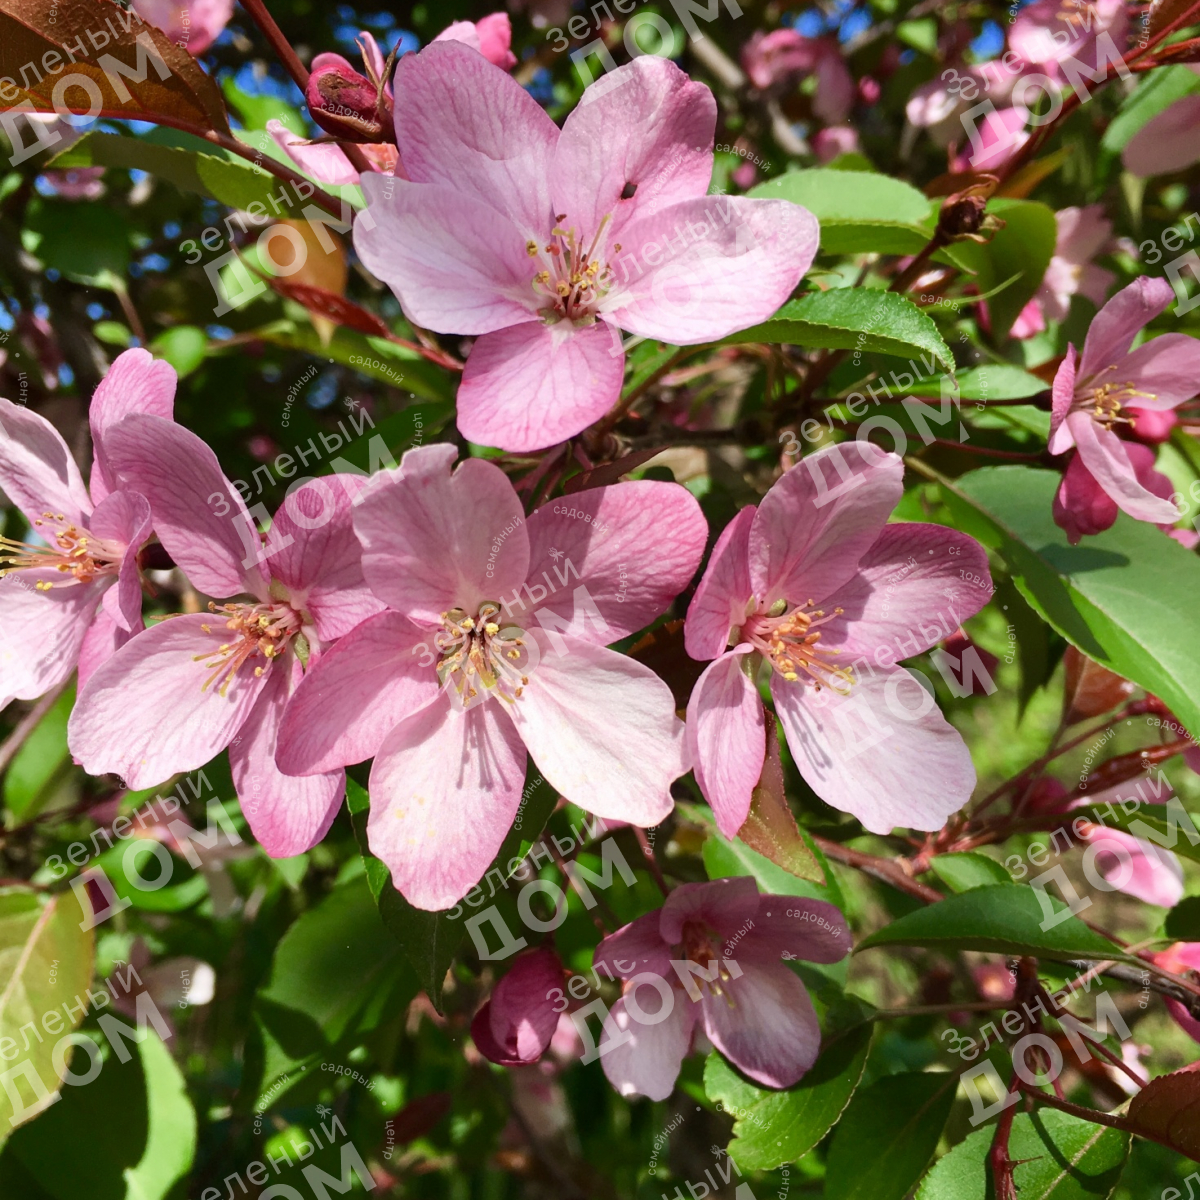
x: 770, y: 1031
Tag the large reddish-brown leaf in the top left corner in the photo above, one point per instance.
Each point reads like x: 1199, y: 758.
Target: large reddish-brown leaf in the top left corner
x: 33, y: 29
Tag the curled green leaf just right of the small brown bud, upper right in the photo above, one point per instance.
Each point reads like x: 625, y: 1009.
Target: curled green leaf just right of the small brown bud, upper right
x: 1023, y: 248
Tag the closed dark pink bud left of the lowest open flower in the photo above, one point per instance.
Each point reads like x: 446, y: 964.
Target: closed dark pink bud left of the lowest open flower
x: 520, y: 1019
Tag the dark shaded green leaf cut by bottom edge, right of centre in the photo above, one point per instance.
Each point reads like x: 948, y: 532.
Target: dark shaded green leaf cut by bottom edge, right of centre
x: 889, y: 1136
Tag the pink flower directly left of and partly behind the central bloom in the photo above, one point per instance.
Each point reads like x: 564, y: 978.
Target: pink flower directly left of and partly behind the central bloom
x: 178, y: 694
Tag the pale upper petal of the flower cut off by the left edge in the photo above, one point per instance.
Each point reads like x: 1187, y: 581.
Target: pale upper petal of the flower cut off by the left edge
x: 37, y: 470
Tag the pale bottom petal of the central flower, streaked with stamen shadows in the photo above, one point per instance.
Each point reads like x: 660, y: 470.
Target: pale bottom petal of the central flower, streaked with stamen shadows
x: 446, y: 787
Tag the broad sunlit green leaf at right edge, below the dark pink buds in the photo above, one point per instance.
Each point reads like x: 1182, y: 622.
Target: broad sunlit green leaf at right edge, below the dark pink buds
x: 1126, y: 597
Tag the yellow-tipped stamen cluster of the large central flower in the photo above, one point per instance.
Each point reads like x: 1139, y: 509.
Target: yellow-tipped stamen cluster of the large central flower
x: 481, y: 658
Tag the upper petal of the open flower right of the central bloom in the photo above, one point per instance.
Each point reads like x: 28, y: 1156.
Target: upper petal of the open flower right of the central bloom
x: 819, y: 520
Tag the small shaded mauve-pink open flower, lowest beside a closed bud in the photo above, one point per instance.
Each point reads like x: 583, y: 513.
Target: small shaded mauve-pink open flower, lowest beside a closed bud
x: 713, y: 956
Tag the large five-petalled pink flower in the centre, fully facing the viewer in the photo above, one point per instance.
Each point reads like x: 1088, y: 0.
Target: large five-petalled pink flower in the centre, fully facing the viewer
x: 465, y: 674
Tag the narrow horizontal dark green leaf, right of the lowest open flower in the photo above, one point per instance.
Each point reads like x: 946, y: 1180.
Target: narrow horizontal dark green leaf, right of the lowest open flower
x: 1004, y: 919
